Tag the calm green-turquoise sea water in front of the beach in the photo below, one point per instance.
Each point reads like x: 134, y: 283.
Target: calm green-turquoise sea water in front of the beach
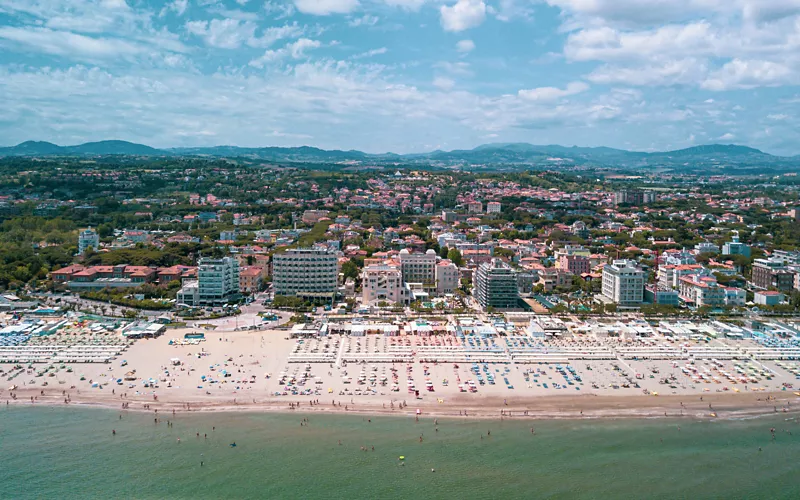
x: 71, y: 453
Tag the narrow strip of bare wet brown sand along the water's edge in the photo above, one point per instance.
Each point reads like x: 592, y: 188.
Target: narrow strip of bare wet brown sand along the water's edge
x: 584, y: 407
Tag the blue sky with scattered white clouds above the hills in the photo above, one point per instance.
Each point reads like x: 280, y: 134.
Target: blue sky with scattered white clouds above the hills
x: 402, y: 75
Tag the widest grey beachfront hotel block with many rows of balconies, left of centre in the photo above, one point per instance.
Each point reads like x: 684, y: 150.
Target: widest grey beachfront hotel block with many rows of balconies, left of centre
x: 305, y: 272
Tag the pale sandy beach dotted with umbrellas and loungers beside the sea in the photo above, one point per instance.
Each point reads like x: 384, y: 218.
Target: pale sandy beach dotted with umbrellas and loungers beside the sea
x: 251, y: 371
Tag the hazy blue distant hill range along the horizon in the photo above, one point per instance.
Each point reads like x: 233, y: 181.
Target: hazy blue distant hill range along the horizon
x: 500, y: 156
